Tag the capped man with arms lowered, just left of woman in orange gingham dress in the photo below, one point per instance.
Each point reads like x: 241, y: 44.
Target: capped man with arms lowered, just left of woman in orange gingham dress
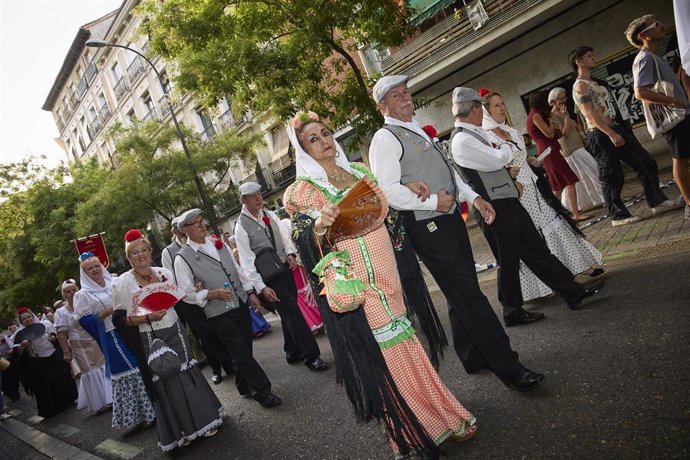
x: 267, y: 254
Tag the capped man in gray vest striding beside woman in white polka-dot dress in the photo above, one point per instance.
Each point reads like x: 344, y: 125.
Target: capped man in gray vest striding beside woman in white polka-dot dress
x: 512, y: 236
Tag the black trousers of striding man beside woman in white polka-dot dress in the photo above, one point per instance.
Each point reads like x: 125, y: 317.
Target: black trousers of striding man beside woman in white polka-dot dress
x: 513, y: 237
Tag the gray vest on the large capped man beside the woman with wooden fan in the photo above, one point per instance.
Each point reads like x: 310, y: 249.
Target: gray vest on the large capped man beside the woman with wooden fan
x: 421, y: 160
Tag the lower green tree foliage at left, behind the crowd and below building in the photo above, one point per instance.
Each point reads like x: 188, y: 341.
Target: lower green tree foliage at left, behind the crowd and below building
x: 43, y: 210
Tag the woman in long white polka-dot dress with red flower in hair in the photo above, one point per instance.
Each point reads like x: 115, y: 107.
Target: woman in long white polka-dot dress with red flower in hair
x: 564, y: 240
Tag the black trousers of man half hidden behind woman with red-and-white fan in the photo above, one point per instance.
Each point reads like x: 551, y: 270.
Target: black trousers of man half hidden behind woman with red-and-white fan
x: 213, y: 347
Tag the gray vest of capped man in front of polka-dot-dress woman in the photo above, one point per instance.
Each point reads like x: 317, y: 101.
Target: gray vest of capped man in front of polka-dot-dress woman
x: 493, y: 185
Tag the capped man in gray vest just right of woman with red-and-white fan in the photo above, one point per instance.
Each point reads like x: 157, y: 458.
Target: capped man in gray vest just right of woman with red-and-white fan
x: 223, y: 298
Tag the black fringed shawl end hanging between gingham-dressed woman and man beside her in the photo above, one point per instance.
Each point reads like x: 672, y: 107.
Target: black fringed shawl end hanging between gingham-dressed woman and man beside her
x: 415, y: 291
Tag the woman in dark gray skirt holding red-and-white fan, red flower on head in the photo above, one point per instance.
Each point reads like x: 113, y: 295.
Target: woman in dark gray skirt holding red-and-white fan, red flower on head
x: 186, y: 407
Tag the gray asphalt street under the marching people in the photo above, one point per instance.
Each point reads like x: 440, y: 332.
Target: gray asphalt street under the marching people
x: 617, y: 377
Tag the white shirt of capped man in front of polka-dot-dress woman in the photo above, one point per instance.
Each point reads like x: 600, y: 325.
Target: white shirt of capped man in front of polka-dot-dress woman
x: 470, y: 152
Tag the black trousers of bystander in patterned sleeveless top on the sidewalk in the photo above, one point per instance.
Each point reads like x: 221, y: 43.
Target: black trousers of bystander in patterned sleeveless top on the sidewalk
x: 609, y: 158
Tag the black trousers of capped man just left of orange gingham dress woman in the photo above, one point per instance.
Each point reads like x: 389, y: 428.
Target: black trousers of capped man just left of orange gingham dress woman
x: 299, y: 341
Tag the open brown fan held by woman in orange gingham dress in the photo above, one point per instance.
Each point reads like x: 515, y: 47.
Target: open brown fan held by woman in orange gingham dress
x: 362, y: 209
